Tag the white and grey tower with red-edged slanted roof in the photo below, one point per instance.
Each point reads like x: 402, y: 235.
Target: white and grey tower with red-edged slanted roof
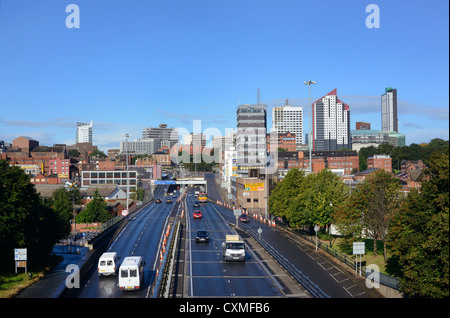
x: 331, y: 123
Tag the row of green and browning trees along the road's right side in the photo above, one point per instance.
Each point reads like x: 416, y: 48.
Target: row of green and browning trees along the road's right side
x: 414, y: 228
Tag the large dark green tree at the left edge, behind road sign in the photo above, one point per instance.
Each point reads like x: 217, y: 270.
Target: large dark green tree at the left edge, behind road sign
x: 25, y: 221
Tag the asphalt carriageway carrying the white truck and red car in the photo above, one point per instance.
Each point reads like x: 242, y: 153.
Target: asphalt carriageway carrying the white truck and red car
x: 207, y: 275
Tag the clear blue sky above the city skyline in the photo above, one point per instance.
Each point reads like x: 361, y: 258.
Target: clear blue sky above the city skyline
x: 137, y: 63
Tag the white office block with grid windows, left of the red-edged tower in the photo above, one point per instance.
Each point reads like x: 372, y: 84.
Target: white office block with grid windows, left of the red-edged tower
x: 288, y: 119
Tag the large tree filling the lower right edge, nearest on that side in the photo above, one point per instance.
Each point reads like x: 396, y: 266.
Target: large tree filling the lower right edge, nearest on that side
x: 419, y: 234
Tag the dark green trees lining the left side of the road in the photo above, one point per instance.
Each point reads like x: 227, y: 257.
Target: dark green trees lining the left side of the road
x: 28, y: 221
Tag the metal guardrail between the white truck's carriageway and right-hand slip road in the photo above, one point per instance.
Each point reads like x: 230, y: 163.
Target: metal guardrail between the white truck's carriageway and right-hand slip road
x: 304, y: 280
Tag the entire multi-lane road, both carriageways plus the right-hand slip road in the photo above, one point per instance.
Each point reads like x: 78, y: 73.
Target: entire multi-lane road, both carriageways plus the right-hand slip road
x: 198, y: 268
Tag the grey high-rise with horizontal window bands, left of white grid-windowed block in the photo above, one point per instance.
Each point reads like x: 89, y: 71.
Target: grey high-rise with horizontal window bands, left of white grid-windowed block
x: 251, y: 138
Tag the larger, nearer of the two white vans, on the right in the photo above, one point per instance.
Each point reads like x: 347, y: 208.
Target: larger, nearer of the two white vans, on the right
x: 131, y: 273
